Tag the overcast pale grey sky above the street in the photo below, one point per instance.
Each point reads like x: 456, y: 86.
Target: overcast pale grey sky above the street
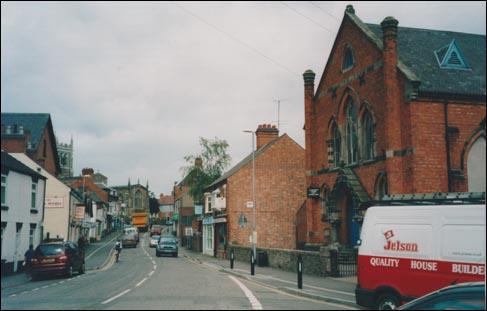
x: 136, y: 84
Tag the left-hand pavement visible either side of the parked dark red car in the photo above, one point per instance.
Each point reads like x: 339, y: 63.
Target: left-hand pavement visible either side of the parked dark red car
x: 97, y: 255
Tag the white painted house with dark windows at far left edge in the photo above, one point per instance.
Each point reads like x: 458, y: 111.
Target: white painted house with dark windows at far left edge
x: 22, y: 198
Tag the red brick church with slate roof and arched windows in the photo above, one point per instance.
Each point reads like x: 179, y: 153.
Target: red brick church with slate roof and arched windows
x: 397, y: 111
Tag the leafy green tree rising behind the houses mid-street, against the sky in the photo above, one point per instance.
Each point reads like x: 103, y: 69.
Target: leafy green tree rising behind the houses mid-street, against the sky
x: 206, y: 167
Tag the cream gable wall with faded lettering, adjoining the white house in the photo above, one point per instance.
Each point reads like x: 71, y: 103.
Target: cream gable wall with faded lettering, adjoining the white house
x: 59, y: 202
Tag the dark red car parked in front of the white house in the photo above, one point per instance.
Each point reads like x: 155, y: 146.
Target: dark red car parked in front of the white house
x: 57, y: 258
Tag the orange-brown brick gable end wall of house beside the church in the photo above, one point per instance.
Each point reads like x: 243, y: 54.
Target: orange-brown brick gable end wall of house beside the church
x: 280, y: 192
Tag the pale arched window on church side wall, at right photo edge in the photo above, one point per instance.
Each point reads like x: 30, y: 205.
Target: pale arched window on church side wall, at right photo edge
x: 476, y: 166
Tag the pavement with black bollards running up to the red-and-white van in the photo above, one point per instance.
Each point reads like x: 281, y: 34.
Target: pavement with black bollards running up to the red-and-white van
x: 335, y: 290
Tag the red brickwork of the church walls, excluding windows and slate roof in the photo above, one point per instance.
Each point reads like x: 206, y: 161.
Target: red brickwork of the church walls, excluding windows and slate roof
x: 410, y: 145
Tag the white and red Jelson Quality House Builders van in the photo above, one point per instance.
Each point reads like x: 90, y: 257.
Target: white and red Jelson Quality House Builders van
x: 408, y: 251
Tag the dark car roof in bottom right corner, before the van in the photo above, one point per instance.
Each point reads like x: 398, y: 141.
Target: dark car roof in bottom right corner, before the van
x: 464, y: 296
